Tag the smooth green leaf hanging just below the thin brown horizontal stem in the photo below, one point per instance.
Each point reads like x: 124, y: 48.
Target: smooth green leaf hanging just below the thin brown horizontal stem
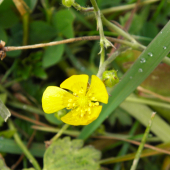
x: 53, y: 54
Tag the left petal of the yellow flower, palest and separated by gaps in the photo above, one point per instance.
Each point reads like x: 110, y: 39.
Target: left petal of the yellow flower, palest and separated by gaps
x: 55, y: 99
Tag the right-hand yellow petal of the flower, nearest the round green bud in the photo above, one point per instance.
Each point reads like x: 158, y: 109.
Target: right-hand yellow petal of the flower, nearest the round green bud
x: 97, y: 90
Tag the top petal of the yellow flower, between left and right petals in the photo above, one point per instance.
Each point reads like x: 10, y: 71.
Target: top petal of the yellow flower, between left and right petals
x: 76, y: 83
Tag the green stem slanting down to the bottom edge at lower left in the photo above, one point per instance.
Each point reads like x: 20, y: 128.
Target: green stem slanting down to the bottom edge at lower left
x: 23, y: 147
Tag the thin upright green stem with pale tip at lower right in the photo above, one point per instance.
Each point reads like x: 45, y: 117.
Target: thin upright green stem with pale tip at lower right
x: 139, y: 151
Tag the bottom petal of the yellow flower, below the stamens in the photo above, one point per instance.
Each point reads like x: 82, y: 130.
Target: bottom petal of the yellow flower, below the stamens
x: 74, y: 116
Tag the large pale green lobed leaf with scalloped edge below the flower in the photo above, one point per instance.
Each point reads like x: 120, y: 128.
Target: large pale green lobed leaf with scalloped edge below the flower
x: 65, y: 154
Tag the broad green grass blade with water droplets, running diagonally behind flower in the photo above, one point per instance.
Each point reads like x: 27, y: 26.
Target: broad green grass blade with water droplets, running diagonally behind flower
x: 152, y: 56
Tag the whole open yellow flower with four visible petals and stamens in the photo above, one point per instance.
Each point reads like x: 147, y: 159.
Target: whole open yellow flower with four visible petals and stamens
x: 83, y: 101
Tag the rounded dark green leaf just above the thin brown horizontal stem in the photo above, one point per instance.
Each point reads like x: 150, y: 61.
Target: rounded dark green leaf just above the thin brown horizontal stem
x: 63, y: 22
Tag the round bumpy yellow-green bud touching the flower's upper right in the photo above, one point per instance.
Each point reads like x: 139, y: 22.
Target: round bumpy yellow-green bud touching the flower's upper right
x: 110, y: 78
